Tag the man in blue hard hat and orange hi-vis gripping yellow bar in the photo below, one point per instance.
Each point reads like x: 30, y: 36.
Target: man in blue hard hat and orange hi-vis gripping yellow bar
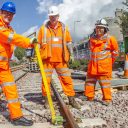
x: 8, y: 38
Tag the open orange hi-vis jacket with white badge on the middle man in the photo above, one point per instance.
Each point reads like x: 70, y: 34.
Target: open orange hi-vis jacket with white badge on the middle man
x: 54, y: 43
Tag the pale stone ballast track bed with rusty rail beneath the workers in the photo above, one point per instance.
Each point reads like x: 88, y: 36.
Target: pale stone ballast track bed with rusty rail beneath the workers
x: 92, y: 114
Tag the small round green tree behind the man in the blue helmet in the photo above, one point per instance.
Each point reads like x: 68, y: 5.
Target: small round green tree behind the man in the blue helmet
x: 19, y: 53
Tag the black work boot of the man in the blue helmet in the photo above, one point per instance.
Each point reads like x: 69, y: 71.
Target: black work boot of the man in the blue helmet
x: 22, y: 121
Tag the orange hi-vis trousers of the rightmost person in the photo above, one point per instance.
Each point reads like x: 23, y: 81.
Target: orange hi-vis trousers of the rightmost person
x: 104, y: 81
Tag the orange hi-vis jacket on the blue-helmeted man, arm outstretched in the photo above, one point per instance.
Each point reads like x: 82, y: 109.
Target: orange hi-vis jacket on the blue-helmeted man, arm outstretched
x: 8, y: 38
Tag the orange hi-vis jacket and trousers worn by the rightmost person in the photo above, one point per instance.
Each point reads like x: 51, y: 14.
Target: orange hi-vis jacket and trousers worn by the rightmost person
x: 103, y: 53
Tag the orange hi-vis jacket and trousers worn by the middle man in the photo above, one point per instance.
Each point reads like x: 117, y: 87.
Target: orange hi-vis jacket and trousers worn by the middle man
x: 55, y: 45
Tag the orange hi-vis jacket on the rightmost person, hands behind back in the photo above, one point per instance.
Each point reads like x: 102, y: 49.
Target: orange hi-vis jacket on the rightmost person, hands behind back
x: 103, y: 53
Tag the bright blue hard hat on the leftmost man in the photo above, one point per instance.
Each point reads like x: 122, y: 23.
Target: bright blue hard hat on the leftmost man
x: 9, y: 7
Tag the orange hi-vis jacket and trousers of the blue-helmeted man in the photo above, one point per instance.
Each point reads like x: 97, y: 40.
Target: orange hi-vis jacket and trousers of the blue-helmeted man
x: 8, y: 38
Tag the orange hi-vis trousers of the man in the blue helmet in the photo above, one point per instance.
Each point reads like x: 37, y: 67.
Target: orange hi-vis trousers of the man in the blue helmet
x: 10, y: 90
